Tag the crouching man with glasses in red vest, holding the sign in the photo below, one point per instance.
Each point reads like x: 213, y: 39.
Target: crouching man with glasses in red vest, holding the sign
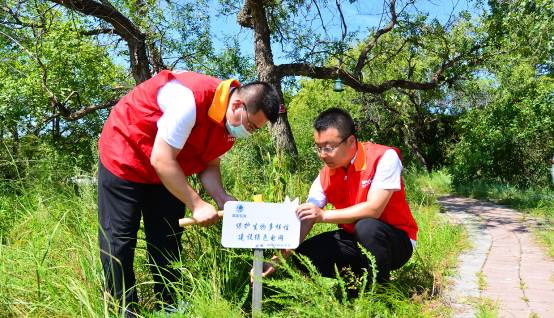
x: 363, y: 183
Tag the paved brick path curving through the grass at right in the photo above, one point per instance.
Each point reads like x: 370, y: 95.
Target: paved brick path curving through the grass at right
x: 515, y: 271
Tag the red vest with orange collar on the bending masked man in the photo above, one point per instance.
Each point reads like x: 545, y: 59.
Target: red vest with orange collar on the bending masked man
x: 128, y: 135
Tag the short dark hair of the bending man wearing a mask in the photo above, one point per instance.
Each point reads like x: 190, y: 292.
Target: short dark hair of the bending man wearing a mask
x: 261, y: 96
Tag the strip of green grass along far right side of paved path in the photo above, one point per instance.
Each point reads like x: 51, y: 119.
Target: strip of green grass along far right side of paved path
x: 538, y: 203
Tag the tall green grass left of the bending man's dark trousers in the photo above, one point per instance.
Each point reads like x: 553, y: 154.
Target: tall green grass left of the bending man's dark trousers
x: 49, y: 264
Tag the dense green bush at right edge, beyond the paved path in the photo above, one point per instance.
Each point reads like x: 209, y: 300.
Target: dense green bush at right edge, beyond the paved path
x: 511, y: 139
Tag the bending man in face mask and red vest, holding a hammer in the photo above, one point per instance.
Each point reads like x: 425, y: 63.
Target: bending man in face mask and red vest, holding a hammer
x: 171, y: 126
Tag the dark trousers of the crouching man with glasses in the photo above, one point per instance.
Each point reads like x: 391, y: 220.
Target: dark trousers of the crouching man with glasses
x: 390, y: 246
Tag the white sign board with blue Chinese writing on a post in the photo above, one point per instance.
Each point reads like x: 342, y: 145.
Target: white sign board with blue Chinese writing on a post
x: 260, y: 225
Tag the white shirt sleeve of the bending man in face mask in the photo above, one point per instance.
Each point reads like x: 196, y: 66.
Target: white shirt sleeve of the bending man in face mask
x: 177, y: 103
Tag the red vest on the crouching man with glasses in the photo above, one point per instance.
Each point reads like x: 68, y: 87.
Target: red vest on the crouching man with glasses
x: 347, y: 188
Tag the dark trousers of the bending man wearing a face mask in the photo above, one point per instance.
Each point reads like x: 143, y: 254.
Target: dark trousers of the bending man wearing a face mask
x: 121, y: 204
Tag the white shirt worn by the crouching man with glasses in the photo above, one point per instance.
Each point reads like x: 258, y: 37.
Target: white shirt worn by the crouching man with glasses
x: 387, y: 177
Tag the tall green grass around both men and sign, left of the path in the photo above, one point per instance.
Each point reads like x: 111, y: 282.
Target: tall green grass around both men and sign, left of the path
x: 50, y: 267
